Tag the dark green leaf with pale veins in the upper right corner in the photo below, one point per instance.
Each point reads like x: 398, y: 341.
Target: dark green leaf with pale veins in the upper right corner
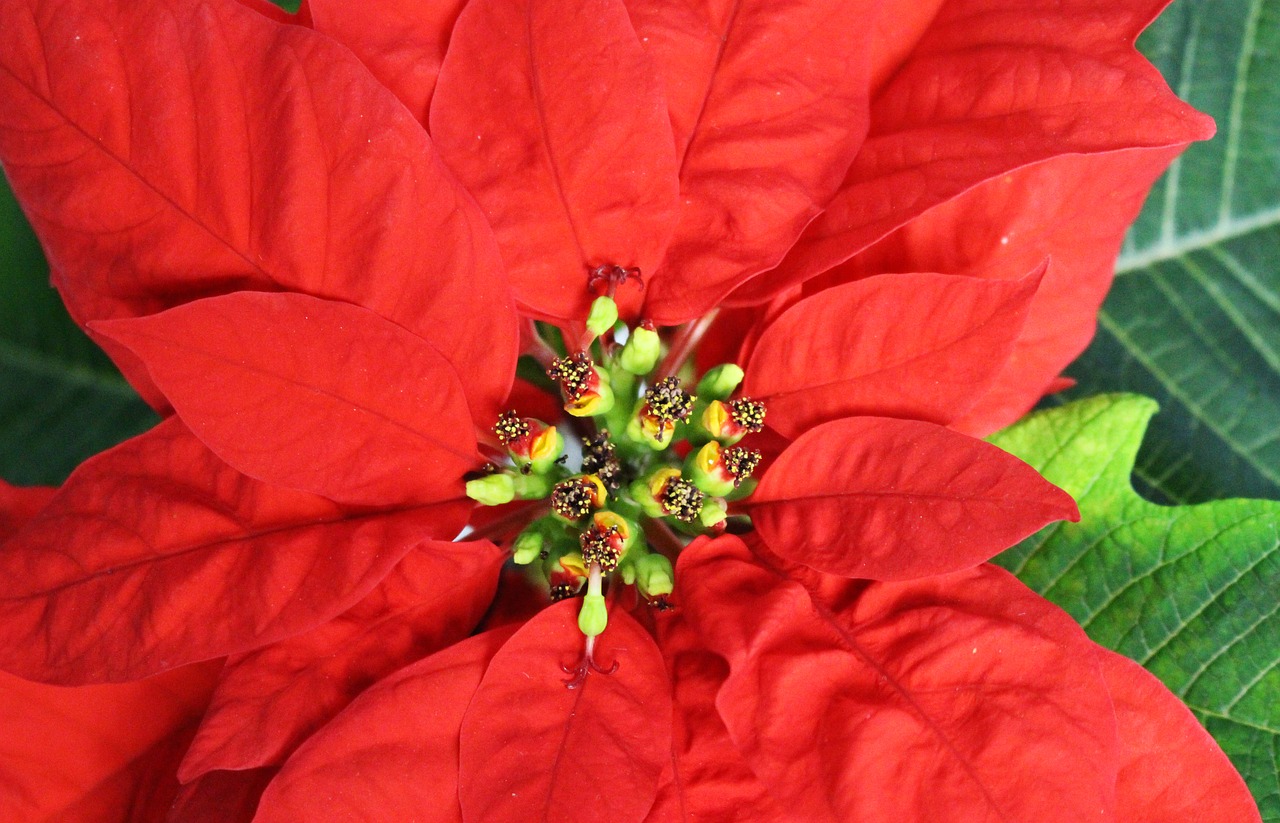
x: 1195, y: 317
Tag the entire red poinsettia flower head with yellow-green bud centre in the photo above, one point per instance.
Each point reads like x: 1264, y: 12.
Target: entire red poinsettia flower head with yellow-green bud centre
x: 765, y: 273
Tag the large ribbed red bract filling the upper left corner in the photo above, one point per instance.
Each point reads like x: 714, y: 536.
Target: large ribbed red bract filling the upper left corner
x: 171, y: 150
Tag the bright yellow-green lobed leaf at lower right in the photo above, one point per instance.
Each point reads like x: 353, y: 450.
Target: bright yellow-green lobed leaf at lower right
x: 1188, y: 592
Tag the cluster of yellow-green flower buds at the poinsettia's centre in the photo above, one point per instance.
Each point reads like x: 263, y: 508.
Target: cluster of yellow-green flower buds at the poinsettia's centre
x: 660, y: 465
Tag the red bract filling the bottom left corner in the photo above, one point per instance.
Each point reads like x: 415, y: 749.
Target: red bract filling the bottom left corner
x: 97, y: 755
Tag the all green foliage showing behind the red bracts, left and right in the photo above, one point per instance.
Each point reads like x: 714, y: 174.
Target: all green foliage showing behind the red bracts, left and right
x: 1194, y: 322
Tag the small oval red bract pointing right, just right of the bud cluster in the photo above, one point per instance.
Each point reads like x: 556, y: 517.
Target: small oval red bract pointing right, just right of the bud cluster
x: 894, y: 500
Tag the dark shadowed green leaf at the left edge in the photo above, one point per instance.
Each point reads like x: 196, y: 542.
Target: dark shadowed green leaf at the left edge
x: 61, y: 399
